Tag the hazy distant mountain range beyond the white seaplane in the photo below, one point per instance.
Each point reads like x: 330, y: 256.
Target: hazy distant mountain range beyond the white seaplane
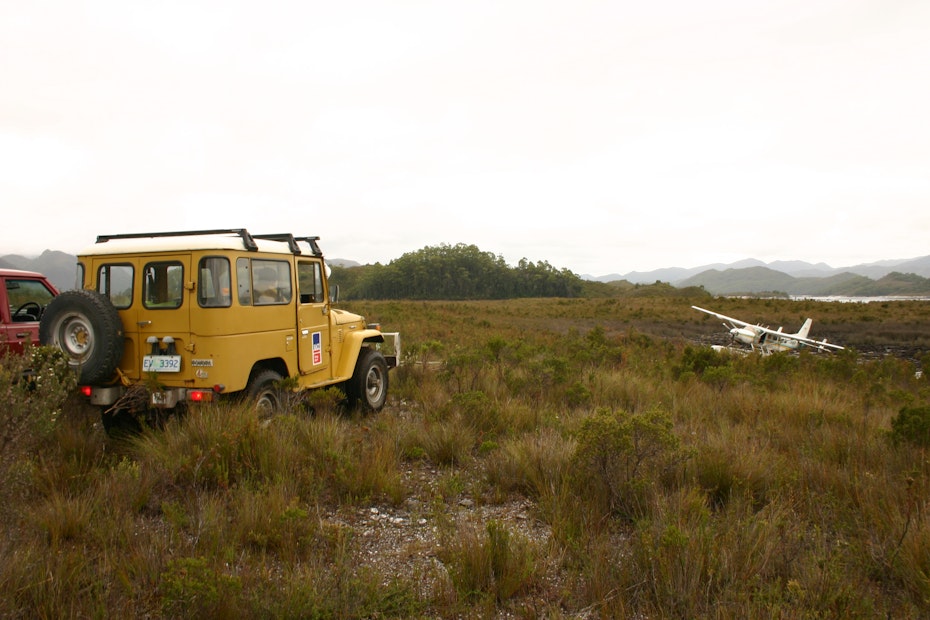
x: 888, y: 277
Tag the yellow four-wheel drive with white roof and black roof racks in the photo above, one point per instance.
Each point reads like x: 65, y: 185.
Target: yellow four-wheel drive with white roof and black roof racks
x: 192, y: 316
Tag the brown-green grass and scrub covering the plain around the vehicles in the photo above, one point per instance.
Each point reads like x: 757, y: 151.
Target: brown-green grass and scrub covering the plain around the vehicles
x: 657, y: 479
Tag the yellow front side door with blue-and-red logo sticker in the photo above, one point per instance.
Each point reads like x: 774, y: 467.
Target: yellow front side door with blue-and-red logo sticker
x: 313, y: 338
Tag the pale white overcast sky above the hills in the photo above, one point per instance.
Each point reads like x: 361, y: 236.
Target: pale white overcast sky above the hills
x: 602, y: 137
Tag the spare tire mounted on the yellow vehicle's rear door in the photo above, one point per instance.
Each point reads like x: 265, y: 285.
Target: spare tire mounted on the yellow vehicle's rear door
x: 87, y: 328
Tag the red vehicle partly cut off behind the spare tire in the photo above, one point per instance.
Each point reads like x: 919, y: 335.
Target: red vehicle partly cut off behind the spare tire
x: 23, y: 297
